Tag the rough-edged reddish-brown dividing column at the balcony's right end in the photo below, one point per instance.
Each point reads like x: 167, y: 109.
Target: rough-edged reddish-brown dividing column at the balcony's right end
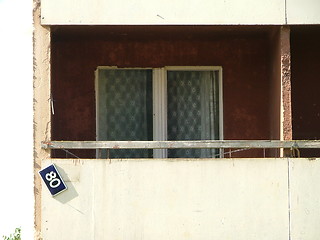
x: 280, y: 94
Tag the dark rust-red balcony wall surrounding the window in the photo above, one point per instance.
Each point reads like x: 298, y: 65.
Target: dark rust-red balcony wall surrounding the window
x: 243, y: 56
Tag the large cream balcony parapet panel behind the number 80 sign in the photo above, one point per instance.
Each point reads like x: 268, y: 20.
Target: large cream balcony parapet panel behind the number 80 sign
x: 159, y: 199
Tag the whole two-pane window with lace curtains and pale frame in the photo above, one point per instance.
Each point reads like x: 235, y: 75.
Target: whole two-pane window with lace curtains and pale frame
x: 171, y: 103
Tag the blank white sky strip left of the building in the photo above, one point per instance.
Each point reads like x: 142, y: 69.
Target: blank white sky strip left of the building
x: 16, y: 163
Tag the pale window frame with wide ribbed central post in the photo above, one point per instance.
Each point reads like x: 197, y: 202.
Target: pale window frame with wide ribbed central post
x: 159, y: 93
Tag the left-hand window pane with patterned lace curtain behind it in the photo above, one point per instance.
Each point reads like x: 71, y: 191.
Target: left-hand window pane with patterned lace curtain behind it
x: 125, y: 109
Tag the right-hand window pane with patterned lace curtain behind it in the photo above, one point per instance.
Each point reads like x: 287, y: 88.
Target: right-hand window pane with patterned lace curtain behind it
x: 193, y: 109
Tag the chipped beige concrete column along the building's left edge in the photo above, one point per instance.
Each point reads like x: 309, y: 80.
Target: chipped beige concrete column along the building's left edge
x: 41, y: 105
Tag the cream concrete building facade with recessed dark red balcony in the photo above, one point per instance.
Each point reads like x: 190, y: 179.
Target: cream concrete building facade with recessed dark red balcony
x: 164, y: 72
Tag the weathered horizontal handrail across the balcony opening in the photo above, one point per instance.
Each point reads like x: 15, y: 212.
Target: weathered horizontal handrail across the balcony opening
x: 293, y: 144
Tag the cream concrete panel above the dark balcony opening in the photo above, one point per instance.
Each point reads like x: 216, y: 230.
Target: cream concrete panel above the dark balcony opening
x: 167, y: 12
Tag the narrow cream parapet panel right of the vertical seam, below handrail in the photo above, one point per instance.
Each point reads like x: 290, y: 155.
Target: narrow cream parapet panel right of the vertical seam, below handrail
x: 305, y: 198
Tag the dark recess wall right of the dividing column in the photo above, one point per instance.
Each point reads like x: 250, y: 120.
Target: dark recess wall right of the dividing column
x: 306, y: 85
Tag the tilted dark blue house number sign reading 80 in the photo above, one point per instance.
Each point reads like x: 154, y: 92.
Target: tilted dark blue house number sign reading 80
x: 53, y: 180
